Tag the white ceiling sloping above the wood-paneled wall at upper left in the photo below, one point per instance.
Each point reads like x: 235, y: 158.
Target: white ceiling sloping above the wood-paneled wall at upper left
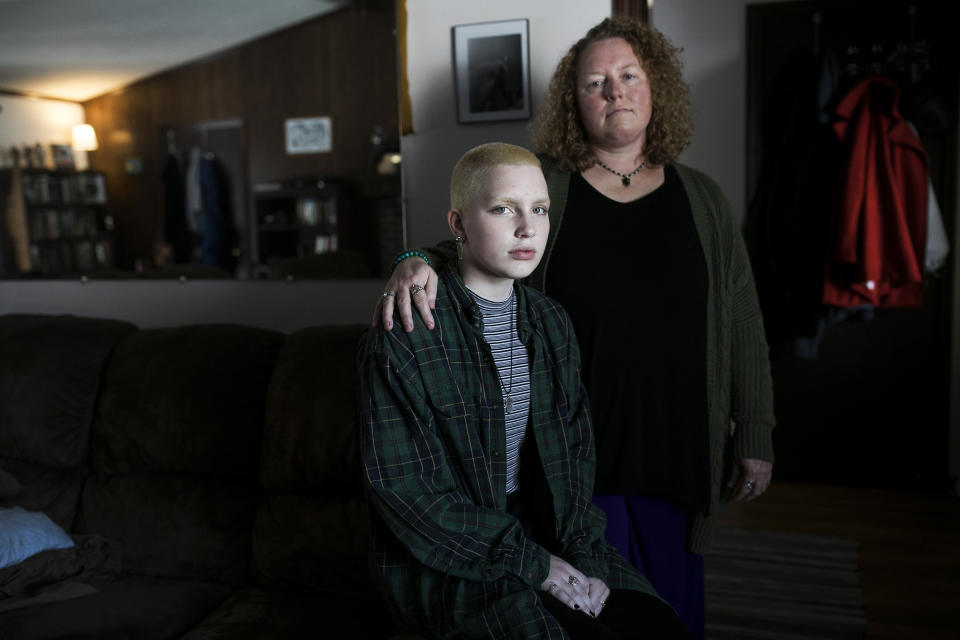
x: 79, y: 49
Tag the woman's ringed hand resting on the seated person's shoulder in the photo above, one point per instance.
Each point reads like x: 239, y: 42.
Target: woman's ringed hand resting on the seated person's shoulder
x: 413, y: 280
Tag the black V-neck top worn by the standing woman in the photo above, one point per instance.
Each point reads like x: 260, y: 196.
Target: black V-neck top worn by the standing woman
x: 633, y: 277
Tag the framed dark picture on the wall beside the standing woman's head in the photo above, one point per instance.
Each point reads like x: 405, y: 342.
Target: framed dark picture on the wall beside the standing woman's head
x: 492, y: 64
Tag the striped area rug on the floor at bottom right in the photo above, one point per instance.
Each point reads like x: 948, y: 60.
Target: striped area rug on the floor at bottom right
x: 783, y: 586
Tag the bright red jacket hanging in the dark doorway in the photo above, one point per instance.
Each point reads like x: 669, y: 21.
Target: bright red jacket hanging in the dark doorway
x: 879, y: 229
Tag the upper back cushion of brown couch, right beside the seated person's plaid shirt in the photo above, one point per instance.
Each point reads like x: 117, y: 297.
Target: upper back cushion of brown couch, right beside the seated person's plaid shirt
x: 311, y: 435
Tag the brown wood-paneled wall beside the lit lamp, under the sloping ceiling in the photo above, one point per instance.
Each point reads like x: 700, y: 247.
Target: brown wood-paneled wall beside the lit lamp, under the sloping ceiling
x: 341, y: 65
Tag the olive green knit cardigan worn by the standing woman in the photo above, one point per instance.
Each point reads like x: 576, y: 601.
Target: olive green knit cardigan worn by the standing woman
x: 739, y: 387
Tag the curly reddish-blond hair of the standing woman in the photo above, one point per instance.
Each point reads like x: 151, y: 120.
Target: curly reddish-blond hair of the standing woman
x: 557, y: 130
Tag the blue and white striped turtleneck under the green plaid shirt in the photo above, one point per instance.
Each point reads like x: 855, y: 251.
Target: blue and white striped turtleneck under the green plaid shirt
x: 510, y: 358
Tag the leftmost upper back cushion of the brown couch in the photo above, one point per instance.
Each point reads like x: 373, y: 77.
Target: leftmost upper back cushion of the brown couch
x: 50, y: 371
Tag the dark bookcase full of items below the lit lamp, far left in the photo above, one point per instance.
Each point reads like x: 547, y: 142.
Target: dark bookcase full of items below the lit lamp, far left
x: 56, y: 222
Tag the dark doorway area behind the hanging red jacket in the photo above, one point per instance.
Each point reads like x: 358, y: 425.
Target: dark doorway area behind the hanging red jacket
x: 862, y: 396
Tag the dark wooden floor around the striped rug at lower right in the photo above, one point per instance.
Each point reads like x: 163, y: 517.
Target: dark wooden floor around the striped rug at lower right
x: 909, y: 549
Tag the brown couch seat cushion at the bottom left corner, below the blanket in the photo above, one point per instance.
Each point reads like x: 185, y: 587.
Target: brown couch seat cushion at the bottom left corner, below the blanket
x: 131, y: 607
